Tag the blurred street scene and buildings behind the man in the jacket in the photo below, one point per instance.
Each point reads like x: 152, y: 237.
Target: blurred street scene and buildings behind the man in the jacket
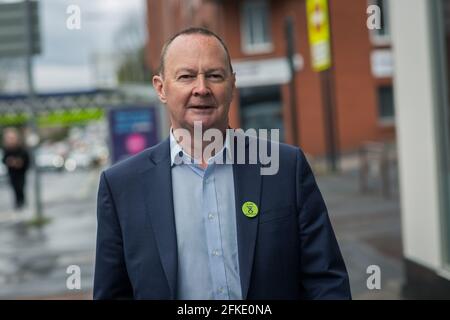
x: 360, y: 85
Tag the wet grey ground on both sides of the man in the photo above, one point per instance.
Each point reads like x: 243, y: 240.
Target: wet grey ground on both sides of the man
x: 33, y: 261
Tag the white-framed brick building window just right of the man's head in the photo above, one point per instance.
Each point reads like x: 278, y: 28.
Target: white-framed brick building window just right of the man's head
x: 255, y: 27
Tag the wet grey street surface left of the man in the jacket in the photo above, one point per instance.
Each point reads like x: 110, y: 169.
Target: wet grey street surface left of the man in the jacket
x: 33, y: 261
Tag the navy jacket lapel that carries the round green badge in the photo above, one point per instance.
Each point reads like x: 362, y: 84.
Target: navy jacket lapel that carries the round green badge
x: 247, y: 186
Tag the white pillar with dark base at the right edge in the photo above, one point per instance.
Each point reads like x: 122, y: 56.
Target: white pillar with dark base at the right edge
x: 422, y: 134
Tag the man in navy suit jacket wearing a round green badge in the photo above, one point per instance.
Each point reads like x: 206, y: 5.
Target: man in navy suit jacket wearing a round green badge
x: 172, y: 225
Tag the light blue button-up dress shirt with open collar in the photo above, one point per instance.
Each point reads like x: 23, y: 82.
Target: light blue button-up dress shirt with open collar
x: 205, y: 220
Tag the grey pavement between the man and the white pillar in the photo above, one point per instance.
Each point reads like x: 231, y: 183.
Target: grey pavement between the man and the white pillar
x: 368, y: 229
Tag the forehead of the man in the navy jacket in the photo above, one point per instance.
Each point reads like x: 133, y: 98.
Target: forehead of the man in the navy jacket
x: 195, y: 50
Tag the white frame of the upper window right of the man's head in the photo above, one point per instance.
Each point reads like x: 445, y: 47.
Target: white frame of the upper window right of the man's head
x: 255, y: 48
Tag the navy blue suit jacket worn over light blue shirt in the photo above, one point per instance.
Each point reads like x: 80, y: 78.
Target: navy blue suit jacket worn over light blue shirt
x: 288, y: 251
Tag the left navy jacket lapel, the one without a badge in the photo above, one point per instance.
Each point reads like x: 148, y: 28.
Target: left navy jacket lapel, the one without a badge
x: 157, y: 188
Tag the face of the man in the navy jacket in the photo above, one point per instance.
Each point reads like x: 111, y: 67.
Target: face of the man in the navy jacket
x: 197, y: 84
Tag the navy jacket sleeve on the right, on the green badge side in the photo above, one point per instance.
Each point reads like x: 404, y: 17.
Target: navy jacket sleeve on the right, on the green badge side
x: 323, y: 272
